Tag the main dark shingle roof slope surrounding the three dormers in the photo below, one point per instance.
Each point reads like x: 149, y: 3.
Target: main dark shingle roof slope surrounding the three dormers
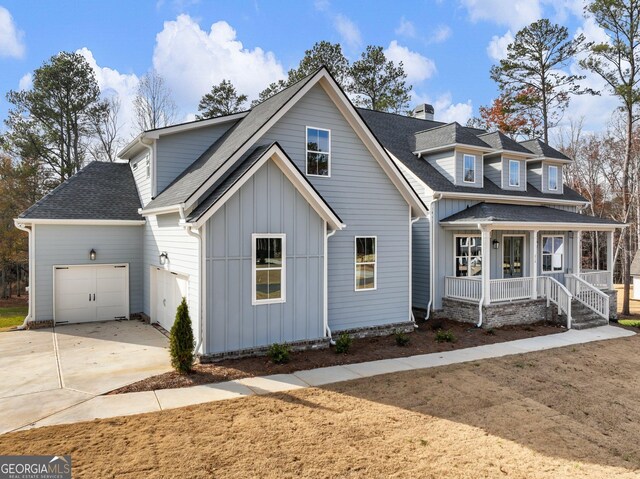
x: 396, y: 133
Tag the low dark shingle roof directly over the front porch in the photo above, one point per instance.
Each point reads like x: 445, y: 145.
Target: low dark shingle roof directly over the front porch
x: 497, y: 212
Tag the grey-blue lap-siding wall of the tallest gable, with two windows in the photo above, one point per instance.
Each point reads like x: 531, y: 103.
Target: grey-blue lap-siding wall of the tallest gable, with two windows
x: 370, y: 205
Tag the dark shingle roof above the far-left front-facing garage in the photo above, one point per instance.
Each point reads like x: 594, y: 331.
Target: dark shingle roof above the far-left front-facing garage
x: 100, y: 191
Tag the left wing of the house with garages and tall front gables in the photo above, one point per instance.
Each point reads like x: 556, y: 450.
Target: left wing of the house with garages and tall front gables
x: 285, y: 223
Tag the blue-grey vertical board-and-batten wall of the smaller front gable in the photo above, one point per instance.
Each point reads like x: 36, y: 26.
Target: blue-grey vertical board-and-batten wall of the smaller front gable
x: 267, y: 203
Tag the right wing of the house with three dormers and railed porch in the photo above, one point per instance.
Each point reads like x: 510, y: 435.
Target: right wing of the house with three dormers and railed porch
x: 503, y: 236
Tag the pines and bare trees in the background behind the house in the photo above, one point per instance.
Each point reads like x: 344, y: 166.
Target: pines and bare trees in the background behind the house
x: 59, y: 124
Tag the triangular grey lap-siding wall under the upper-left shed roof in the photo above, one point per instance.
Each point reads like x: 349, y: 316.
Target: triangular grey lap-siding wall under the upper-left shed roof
x: 177, y: 151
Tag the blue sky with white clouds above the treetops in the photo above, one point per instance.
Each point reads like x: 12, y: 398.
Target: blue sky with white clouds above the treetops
x: 447, y: 46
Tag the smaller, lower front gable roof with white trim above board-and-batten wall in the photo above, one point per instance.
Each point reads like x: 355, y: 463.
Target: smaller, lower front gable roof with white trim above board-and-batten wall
x: 245, y: 167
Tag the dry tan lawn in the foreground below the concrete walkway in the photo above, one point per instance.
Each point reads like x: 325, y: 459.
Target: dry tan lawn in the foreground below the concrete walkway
x: 565, y: 413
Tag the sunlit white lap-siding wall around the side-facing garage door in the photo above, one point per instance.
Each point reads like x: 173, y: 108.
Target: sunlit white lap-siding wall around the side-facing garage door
x: 163, y: 233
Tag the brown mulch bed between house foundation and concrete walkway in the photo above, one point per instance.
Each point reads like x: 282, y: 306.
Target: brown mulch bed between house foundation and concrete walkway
x: 422, y: 341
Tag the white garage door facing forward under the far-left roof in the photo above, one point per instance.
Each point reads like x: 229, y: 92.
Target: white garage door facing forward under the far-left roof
x: 91, y: 293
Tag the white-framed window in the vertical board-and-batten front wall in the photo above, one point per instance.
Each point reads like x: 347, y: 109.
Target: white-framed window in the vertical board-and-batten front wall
x: 269, y: 268
